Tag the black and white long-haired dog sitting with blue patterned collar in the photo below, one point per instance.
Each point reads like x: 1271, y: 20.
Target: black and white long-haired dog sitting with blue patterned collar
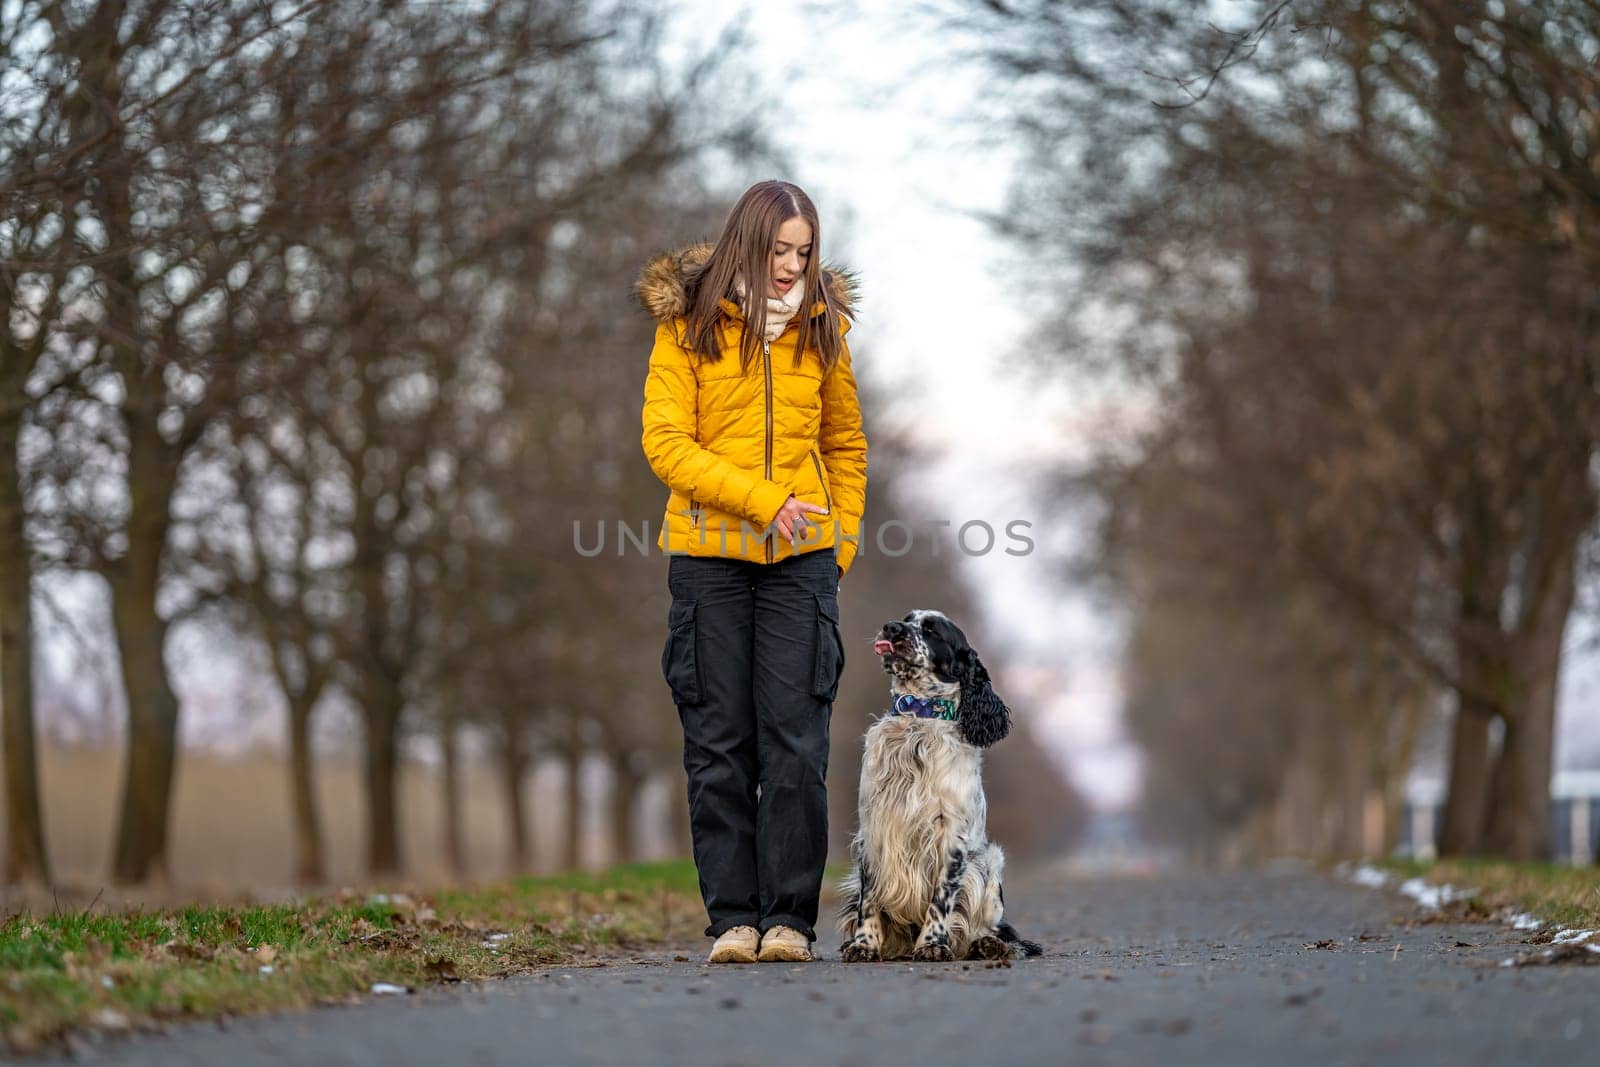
x: 927, y: 879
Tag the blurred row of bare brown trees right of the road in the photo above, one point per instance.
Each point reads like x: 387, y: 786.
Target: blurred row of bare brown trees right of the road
x: 1346, y: 257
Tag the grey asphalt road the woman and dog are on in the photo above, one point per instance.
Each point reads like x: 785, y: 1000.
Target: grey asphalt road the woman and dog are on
x: 1180, y: 969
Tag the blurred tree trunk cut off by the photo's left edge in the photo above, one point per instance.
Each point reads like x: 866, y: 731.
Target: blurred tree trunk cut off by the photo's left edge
x: 25, y: 833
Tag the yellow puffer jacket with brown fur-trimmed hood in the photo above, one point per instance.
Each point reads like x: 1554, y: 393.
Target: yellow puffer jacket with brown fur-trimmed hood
x: 734, y: 446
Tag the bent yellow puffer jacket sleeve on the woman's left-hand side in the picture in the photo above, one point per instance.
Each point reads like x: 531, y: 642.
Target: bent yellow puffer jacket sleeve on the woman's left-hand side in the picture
x: 678, y: 458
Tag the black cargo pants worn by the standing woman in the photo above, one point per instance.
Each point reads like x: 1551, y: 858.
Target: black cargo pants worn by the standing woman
x: 753, y: 660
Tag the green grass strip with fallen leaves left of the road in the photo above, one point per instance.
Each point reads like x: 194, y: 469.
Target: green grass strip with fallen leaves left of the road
x: 140, y: 969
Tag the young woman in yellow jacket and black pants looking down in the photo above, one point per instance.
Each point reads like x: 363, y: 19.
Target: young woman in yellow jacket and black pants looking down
x: 751, y: 420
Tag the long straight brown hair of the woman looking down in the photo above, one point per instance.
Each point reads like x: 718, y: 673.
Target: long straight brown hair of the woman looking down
x: 745, y: 252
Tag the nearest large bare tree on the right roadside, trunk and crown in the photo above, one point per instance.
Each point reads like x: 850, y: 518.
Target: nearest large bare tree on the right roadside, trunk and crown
x: 1353, y: 252
